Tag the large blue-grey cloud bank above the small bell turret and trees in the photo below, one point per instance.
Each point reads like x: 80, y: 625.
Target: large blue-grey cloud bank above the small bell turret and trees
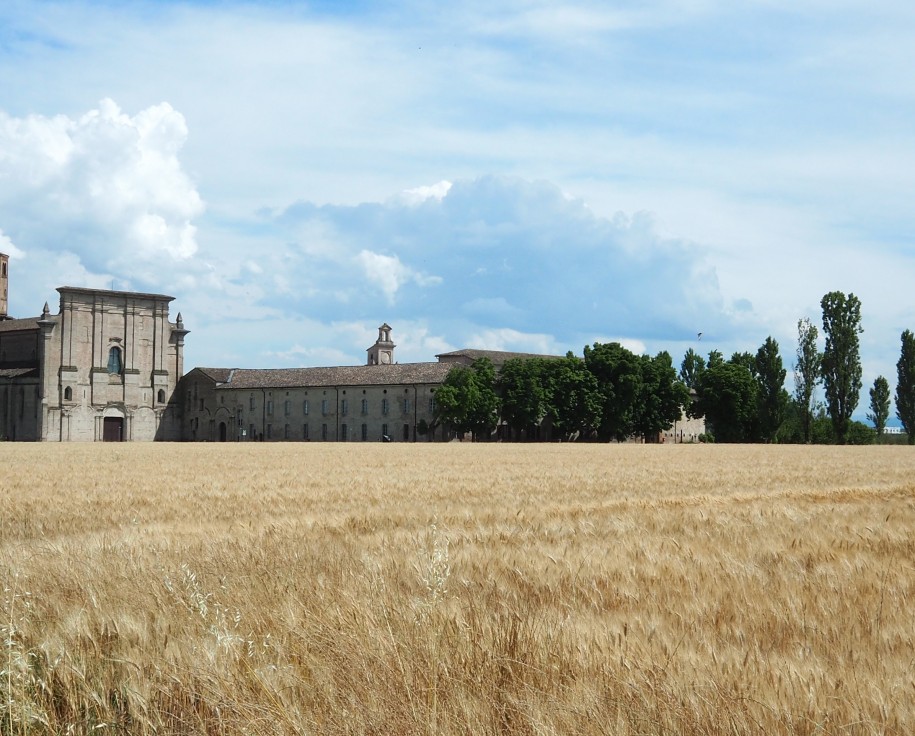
x: 512, y: 259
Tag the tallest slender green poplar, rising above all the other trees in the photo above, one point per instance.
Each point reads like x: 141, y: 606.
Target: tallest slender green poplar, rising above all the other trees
x: 841, y: 358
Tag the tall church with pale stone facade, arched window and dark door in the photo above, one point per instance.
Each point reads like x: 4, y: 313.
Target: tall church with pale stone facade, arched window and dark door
x: 104, y: 368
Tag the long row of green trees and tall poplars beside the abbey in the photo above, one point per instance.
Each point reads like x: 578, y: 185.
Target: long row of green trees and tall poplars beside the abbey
x: 613, y: 394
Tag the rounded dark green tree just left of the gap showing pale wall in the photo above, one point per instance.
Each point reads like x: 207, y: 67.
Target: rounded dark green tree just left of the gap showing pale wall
x: 662, y: 397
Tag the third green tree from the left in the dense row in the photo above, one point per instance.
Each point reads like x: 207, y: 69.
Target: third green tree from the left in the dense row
x: 575, y: 399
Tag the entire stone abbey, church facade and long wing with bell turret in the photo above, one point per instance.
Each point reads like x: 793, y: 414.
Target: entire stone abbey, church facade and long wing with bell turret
x: 109, y: 366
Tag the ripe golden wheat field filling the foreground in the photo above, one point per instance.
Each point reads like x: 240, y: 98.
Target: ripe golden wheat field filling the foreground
x: 457, y: 589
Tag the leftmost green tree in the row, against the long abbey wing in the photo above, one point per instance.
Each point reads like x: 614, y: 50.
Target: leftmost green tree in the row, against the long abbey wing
x: 467, y: 399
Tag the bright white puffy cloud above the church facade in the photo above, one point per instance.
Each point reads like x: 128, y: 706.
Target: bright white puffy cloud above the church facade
x: 106, y: 187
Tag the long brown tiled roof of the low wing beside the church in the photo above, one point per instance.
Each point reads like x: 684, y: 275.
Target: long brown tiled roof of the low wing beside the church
x: 358, y: 375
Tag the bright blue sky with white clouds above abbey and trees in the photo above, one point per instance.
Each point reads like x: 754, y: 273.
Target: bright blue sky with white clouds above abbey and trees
x: 519, y: 175
